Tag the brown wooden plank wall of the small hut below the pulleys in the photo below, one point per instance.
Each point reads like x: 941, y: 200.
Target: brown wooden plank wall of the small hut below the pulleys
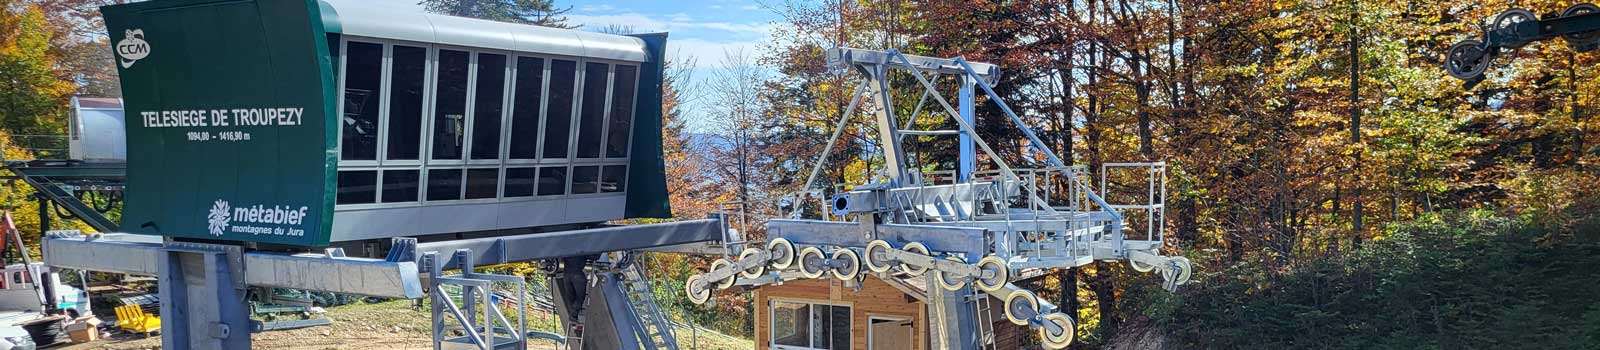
x: 874, y: 300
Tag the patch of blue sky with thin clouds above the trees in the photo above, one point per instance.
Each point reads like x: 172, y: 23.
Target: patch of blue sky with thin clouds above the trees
x: 700, y: 30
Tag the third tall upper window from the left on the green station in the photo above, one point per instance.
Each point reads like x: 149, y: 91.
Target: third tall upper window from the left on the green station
x: 450, y: 106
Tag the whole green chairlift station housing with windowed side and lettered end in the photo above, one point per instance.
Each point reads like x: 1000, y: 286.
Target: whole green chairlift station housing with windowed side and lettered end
x: 314, y: 122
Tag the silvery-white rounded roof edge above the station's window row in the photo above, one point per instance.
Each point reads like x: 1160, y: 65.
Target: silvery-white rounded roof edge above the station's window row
x: 369, y: 20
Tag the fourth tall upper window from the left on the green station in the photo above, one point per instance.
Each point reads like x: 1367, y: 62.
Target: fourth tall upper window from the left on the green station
x: 489, y: 103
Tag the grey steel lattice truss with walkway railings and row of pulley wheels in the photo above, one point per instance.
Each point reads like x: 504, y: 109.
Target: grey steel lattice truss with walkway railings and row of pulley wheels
x: 969, y: 229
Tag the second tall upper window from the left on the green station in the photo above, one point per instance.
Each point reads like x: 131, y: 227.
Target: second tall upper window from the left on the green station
x: 406, y: 103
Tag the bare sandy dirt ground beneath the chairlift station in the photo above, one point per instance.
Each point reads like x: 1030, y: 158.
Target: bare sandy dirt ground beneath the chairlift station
x: 386, y: 327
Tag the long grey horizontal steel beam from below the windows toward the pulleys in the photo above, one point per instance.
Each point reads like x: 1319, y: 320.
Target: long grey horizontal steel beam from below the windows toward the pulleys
x: 553, y: 245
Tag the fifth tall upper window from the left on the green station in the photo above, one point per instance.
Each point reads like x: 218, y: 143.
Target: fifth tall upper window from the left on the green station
x: 526, y: 109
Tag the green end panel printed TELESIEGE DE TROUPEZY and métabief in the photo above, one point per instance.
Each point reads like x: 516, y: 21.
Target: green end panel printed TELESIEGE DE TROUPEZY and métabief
x: 230, y: 119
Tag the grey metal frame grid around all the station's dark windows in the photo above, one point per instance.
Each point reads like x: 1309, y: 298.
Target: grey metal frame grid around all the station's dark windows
x: 425, y: 164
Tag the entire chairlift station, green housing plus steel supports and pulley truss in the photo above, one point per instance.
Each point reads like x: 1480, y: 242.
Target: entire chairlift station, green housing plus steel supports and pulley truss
x: 345, y: 148
